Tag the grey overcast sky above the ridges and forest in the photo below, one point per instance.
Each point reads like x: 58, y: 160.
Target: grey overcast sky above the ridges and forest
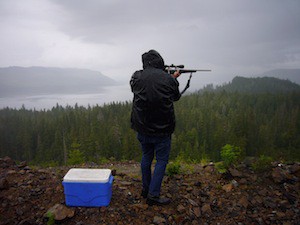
x: 232, y: 37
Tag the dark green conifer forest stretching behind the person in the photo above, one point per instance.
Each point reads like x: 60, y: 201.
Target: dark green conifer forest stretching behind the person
x: 259, y: 122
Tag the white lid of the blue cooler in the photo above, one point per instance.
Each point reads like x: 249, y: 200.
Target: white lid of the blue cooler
x: 87, y: 175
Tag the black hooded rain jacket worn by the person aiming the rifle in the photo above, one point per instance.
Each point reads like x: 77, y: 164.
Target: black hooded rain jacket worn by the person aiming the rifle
x: 154, y: 93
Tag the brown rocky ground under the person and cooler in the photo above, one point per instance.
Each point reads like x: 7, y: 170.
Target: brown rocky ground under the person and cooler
x: 199, y: 196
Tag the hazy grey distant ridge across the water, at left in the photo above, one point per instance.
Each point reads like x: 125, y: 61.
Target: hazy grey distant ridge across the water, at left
x: 27, y: 81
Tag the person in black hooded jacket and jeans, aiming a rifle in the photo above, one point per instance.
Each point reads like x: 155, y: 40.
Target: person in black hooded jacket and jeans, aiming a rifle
x: 154, y: 120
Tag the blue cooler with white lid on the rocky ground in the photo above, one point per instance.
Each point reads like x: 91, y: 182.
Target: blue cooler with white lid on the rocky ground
x: 88, y: 187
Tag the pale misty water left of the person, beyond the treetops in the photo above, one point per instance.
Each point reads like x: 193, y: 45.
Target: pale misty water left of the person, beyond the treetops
x: 111, y: 94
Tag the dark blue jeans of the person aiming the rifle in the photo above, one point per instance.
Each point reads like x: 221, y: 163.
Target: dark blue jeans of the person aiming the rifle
x: 160, y: 146
